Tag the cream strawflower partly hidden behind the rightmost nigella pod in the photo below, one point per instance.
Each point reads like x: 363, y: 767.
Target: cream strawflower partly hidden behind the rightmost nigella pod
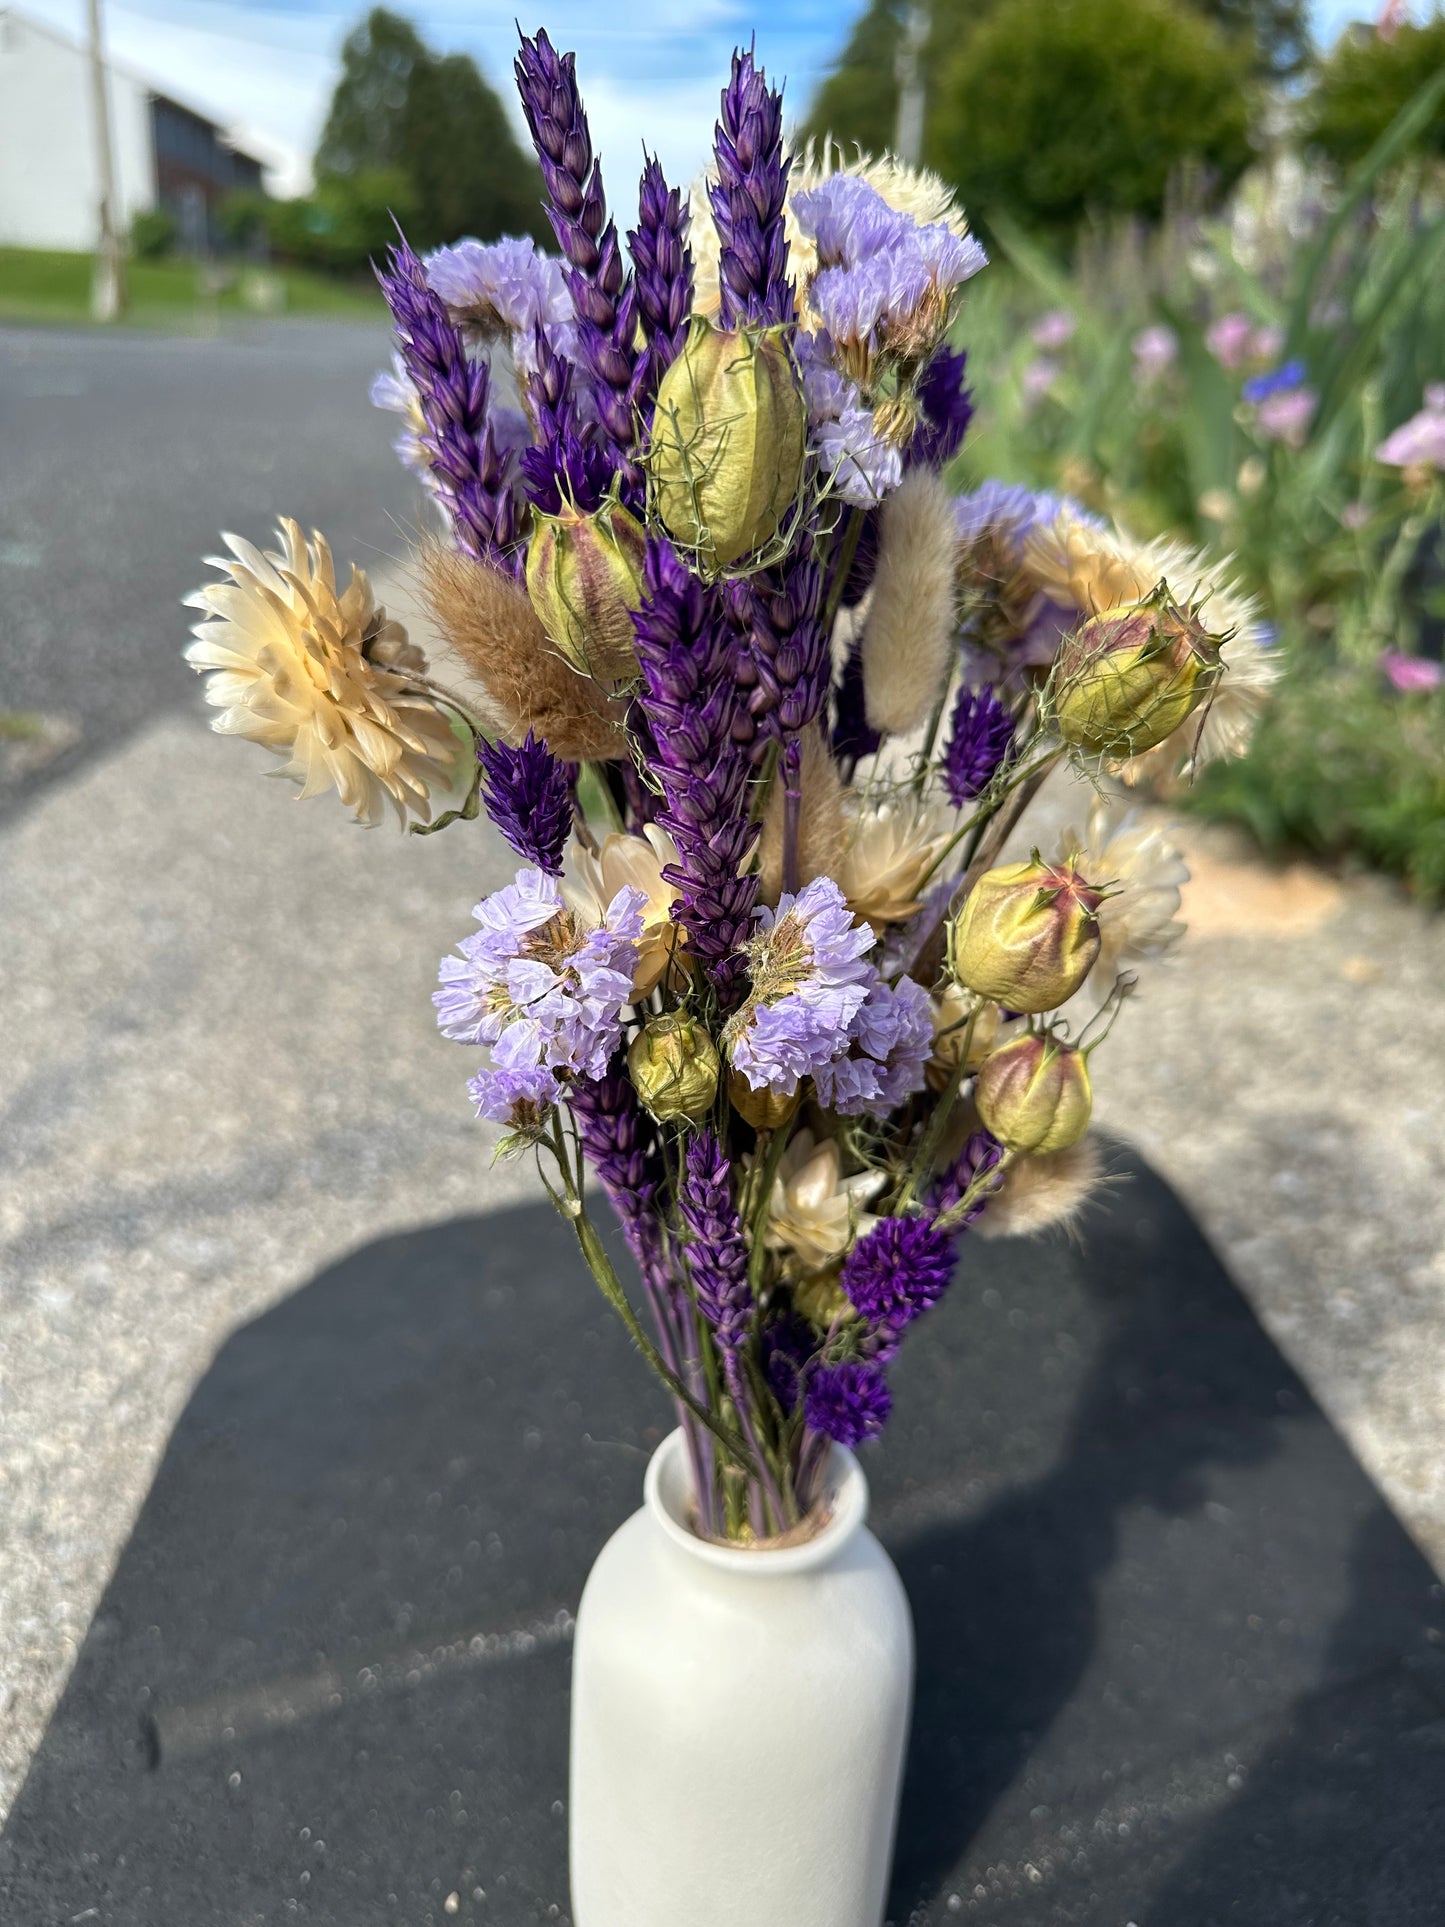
x: 1093, y: 569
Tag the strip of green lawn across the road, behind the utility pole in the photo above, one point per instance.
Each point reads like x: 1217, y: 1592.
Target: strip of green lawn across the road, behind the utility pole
x: 41, y: 286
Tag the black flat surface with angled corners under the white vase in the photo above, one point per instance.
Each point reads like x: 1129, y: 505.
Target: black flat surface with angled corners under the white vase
x: 1178, y: 1664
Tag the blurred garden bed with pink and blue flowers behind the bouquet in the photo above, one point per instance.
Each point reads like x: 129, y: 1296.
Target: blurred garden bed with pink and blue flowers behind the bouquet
x: 1263, y: 383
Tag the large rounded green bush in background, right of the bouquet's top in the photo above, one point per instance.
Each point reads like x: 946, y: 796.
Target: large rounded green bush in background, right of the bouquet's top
x: 1059, y: 109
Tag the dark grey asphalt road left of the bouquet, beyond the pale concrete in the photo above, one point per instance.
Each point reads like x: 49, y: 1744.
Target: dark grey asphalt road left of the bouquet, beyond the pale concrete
x: 120, y: 462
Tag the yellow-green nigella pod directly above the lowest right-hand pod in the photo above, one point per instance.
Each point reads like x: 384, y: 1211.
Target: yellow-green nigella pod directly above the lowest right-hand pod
x: 1028, y: 936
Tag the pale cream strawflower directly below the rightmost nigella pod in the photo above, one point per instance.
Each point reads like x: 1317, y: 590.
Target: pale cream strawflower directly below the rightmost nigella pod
x: 1143, y: 872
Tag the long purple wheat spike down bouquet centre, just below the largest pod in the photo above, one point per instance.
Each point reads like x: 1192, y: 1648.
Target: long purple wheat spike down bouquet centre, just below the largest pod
x: 693, y: 710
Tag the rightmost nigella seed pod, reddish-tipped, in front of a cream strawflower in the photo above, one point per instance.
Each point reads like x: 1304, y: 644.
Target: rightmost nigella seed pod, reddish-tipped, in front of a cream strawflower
x: 1126, y: 679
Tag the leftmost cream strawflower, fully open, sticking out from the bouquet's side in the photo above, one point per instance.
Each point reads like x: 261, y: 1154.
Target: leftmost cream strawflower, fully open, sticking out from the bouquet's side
x: 321, y: 679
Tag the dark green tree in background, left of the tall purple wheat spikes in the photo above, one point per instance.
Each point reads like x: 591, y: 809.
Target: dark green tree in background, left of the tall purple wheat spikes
x: 433, y: 120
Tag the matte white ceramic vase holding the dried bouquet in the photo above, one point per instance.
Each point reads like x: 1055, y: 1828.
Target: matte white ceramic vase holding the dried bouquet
x: 739, y: 1720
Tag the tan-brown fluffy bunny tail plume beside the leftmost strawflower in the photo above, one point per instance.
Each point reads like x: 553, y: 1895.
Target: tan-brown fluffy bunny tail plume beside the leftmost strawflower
x: 490, y: 623
